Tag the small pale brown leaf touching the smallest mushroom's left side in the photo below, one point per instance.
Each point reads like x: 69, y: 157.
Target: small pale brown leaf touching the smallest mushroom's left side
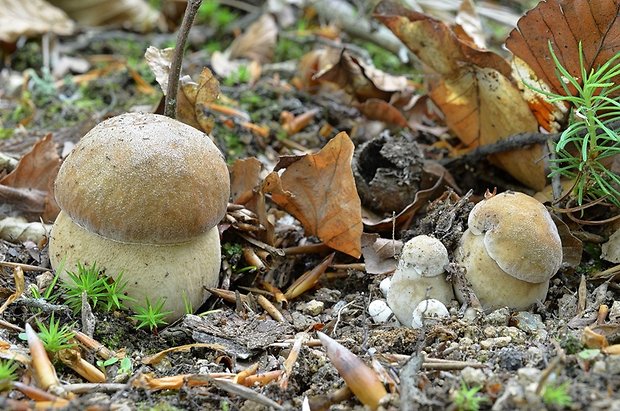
x: 380, y: 253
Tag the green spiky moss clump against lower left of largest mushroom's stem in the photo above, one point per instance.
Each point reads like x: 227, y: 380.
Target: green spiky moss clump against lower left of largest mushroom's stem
x: 98, y: 289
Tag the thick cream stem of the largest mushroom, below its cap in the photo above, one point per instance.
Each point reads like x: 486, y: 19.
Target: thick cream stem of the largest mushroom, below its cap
x: 164, y: 271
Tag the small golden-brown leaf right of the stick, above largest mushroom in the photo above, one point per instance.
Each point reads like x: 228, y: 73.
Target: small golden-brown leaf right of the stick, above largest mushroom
x: 194, y: 97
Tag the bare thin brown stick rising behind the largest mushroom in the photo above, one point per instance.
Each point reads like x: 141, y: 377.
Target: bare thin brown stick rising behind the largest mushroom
x: 170, y: 104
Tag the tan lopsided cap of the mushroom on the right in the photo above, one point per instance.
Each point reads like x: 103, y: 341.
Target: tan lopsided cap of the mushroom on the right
x: 519, y: 235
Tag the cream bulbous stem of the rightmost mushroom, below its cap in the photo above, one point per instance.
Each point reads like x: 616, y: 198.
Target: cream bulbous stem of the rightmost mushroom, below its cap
x: 493, y: 287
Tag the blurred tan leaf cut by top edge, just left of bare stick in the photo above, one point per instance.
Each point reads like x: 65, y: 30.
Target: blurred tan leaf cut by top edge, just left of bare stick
x: 134, y: 15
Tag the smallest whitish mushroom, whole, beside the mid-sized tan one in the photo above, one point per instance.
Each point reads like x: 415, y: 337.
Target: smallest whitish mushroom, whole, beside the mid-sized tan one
x: 419, y: 276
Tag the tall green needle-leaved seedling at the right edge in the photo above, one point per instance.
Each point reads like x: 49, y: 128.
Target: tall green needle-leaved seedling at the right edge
x: 588, y: 140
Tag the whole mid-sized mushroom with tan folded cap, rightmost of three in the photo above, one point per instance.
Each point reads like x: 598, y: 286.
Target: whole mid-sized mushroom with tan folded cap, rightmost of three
x: 510, y: 251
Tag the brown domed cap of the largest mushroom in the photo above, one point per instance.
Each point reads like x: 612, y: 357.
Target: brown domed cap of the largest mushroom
x: 144, y: 178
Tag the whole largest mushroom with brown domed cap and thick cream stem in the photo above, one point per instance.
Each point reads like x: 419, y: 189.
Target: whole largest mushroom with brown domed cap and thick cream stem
x: 142, y: 194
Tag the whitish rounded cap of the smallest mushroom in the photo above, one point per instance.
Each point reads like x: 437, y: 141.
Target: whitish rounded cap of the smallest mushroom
x: 425, y: 255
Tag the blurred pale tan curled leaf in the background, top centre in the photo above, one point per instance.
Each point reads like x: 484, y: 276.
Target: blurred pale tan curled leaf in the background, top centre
x: 258, y: 42
